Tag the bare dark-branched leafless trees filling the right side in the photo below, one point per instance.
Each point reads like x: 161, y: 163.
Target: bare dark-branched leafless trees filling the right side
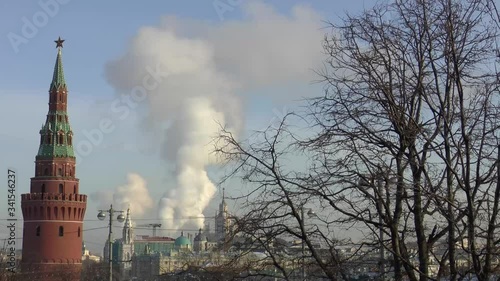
x: 404, y: 146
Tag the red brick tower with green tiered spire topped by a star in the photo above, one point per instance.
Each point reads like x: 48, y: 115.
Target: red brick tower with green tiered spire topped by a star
x: 53, y: 211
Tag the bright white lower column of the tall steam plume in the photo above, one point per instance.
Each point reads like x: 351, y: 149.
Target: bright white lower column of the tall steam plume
x: 195, y: 190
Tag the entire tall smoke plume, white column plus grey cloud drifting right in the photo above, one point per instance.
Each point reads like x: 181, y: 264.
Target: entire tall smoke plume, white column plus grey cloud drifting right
x: 210, y: 69
